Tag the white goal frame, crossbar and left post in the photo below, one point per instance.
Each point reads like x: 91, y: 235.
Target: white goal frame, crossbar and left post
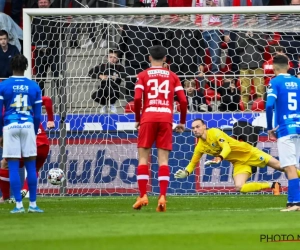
x: 29, y: 13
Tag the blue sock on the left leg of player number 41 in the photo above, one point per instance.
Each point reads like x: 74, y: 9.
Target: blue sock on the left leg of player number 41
x: 14, y: 178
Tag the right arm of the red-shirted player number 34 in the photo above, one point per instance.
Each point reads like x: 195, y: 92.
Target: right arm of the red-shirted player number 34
x: 183, y: 103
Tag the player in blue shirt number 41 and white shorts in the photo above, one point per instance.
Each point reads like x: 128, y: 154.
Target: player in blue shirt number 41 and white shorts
x: 22, y: 100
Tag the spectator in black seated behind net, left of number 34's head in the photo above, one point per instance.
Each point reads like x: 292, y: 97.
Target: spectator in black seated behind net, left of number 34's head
x: 110, y: 74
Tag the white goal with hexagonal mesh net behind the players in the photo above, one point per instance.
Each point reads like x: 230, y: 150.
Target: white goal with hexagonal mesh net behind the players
x: 87, y: 61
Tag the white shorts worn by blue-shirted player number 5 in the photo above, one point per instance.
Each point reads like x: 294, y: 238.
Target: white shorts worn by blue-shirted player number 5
x: 289, y: 150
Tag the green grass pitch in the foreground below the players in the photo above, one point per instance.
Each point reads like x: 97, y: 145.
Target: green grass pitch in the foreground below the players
x: 109, y: 223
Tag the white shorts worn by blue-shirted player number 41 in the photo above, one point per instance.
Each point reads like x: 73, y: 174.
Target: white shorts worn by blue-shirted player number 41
x: 19, y: 140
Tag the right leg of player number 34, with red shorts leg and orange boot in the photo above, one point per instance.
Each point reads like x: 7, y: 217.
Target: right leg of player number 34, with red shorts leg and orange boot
x: 164, y: 146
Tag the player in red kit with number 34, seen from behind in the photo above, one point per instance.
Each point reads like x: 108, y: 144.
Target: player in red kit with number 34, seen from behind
x: 156, y: 86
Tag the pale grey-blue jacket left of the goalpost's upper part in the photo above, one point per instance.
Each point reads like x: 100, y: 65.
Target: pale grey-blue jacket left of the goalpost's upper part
x: 15, y: 33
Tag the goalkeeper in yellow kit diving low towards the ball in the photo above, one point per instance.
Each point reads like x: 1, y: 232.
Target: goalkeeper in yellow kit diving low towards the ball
x: 241, y: 154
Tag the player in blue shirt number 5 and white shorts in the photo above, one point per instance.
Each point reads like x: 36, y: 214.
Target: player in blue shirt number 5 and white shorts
x: 284, y: 97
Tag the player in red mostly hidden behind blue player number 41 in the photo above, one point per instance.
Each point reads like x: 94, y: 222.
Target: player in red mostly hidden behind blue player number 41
x: 42, y: 154
